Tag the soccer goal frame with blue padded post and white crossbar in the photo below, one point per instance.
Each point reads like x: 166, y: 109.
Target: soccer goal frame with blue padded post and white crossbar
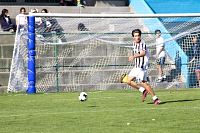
x: 31, y: 36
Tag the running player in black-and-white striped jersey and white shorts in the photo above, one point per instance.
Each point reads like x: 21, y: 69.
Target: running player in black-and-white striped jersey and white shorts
x: 137, y: 78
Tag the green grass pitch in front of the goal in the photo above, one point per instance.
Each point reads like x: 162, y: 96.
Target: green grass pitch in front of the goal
x: 104, y: 112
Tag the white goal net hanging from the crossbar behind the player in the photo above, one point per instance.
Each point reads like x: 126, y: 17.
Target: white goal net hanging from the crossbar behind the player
x: 76, y: 52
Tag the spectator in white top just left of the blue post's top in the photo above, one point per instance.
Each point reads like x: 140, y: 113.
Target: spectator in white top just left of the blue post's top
x: 21, y: 20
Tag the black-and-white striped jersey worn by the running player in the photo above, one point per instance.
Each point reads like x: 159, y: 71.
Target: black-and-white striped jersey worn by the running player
x: 140, y: 62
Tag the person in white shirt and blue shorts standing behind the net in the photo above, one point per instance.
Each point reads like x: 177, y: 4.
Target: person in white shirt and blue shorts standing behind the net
x: 160, y: 55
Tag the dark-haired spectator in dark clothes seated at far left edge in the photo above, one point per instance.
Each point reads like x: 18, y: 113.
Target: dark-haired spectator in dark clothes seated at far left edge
x: 6, y: 23
